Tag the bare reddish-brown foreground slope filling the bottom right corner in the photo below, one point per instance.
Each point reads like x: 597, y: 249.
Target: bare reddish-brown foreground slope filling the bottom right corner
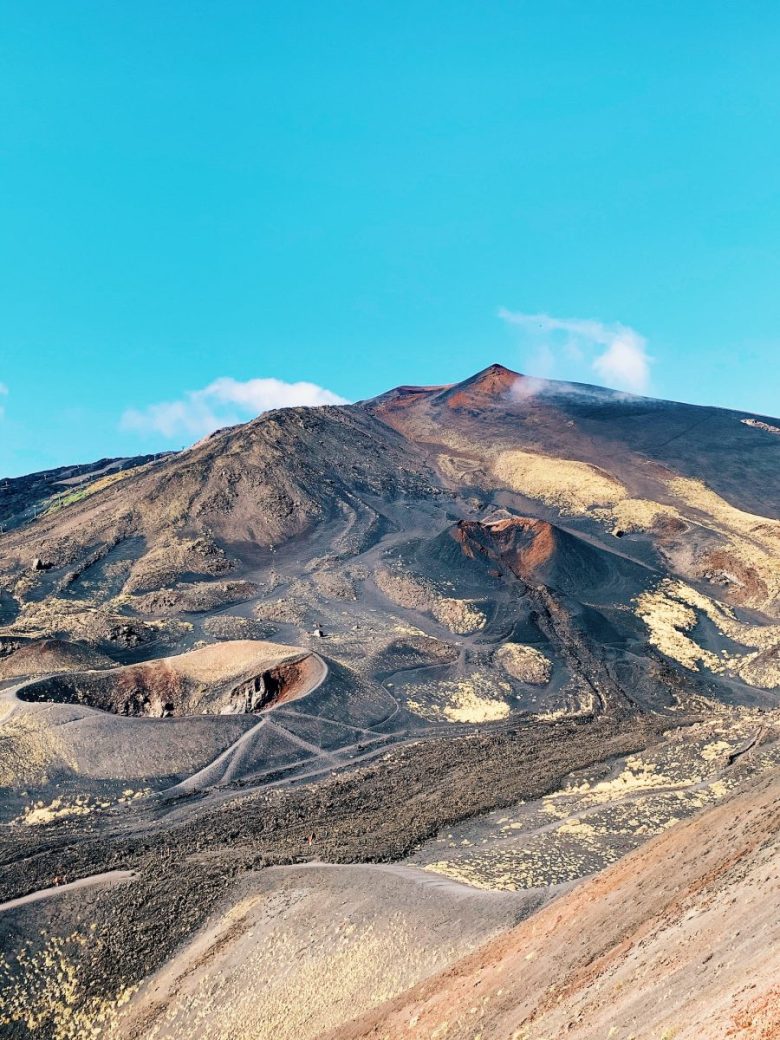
x: 682, y: 939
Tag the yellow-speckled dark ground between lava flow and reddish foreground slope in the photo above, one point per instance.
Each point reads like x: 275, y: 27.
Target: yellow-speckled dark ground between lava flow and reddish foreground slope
x: 590, y: 822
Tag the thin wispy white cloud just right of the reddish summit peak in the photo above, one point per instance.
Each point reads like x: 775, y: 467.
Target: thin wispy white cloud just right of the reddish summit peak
x: 615, y: 352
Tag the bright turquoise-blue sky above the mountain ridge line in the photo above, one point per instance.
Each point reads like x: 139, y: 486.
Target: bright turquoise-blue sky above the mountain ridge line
x: 199, y: 198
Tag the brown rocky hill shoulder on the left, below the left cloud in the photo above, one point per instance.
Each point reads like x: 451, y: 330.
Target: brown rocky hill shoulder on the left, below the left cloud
x: 205, y: 513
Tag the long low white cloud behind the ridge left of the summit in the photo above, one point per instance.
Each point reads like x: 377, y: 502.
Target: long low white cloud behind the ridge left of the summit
x: 222, y: 404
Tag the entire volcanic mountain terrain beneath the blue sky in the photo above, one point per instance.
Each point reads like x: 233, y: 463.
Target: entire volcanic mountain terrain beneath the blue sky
x: 501, y: 632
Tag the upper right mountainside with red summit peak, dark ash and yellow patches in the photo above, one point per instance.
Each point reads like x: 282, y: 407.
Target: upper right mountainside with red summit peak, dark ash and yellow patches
x: 698, y: 487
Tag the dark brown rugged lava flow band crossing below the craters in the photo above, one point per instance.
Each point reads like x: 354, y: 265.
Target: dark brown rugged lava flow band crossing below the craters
x: 376, y: 814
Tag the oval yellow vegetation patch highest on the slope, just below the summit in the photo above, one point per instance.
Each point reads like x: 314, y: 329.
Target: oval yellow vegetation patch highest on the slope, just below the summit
x: 570, y: 487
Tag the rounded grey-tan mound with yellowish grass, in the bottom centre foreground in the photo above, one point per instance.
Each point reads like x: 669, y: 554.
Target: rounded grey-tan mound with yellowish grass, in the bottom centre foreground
x: 306, y: 955
